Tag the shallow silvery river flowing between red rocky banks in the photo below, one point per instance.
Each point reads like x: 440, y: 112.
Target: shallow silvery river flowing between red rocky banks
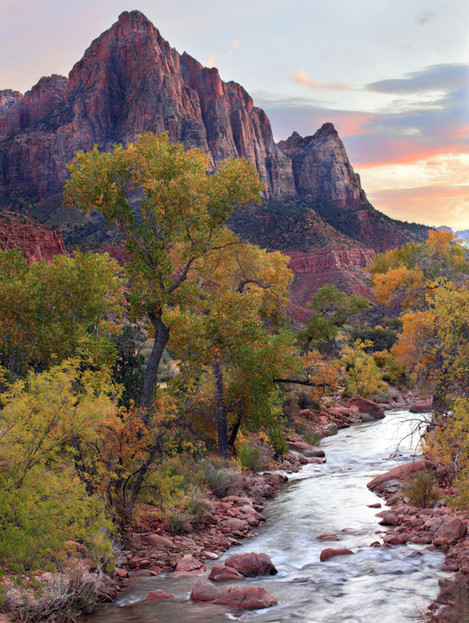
x: 375, y: 585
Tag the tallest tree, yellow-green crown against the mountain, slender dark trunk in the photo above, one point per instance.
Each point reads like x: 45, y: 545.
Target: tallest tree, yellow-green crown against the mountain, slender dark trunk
x: 169, y: 210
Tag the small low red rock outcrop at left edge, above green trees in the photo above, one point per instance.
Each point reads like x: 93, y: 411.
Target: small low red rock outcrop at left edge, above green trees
x: 36, y: 241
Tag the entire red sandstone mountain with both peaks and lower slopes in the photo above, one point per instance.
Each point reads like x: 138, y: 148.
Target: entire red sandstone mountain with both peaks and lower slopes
x: 131, y: 81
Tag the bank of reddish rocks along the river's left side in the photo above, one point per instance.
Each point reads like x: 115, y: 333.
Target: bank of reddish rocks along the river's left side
x: 151, y: 549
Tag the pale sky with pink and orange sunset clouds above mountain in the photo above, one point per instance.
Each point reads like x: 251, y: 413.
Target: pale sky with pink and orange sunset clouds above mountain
x: 391, y: 75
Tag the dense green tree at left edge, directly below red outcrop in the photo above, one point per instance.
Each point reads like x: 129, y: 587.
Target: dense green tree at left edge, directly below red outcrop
x: 49, y: 312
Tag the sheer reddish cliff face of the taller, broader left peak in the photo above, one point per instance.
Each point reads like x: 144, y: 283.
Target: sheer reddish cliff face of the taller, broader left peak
x: 130, y: 81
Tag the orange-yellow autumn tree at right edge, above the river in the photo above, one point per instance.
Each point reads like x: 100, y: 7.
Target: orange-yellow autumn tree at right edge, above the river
x: 430, y: 282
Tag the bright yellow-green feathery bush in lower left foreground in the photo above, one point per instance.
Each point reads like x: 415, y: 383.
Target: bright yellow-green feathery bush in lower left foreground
x: 43, y: 501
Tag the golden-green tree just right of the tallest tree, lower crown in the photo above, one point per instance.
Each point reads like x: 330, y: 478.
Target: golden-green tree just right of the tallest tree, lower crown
x: 232, y: 329
